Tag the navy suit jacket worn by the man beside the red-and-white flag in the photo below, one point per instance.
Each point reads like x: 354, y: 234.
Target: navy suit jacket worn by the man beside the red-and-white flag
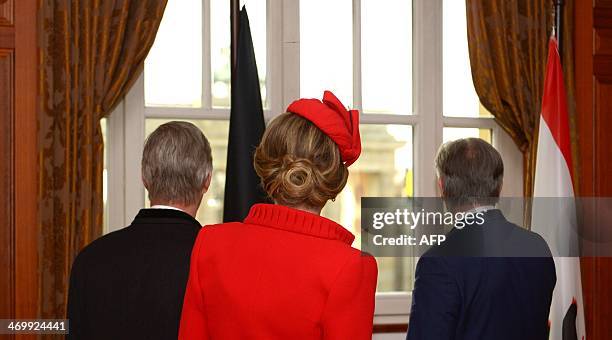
x: 479, y: 285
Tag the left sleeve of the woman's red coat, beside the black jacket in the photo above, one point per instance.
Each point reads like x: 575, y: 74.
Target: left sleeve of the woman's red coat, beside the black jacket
x: 193, y: 319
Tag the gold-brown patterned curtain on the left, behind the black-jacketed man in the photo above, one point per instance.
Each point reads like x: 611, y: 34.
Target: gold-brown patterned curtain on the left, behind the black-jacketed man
x: 91, y: 52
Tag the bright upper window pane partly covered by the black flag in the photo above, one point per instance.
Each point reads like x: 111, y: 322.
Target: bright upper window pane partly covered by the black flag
x: 220, y: 48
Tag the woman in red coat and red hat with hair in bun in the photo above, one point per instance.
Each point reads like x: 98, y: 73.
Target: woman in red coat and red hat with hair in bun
x: 285, y: 272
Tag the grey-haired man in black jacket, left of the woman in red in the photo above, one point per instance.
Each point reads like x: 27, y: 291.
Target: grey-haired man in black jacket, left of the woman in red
x: 130, y: 283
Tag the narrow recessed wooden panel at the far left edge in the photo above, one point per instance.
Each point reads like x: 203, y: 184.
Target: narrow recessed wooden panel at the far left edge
x: 6, y: 185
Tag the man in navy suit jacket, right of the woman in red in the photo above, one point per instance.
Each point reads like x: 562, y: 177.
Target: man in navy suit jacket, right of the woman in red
x: 491, y: 279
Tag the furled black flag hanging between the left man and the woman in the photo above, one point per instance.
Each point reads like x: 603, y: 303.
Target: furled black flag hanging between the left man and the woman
x: 242, y: 188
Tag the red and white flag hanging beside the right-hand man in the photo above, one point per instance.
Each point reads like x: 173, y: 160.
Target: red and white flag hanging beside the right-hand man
x: 553, y: 178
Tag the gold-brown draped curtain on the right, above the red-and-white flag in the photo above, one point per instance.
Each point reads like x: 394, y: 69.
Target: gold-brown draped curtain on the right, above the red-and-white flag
x: 508, y: 45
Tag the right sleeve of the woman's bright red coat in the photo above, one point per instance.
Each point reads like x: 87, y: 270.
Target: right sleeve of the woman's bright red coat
x: 349, y: 310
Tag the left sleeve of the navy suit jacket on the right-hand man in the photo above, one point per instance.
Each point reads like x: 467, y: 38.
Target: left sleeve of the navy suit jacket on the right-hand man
x: 435, y: 302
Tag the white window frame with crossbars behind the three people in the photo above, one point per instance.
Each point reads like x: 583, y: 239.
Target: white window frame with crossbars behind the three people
x: 126, y: 131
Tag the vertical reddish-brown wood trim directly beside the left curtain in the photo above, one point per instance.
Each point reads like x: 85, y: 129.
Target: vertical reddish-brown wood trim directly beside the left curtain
x: 26, y: 165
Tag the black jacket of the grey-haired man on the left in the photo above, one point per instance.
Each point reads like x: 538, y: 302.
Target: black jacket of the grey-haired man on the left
x: 130, y: 283
